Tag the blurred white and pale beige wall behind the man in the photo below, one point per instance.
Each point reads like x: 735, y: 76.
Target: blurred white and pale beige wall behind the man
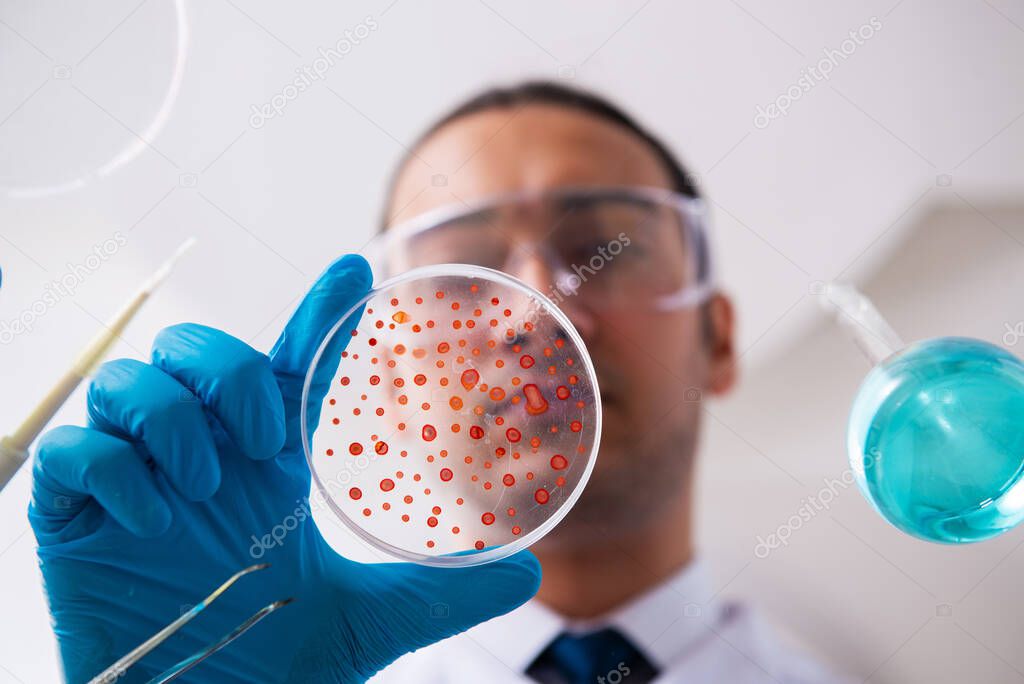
x: 905, y: 173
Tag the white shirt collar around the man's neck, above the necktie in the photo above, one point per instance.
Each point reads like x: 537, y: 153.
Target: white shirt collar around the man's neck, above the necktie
x: 663, y: 623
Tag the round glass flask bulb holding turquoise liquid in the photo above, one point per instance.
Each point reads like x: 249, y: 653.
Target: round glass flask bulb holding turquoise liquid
x: 936, y: 440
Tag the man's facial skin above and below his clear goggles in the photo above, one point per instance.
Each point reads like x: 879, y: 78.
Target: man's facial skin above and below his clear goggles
x: 654, y: 367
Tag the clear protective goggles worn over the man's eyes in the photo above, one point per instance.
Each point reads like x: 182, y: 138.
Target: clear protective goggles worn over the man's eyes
x: 610, y: 248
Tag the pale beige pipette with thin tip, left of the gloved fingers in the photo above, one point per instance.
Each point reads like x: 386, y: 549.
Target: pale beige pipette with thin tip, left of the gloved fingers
x: 15, y: 448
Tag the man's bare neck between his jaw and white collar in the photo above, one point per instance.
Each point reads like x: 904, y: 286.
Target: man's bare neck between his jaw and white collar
x: 588, y: 581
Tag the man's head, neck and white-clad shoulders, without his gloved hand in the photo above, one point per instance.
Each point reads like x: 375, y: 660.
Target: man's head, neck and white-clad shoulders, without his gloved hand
x: 623, y: 597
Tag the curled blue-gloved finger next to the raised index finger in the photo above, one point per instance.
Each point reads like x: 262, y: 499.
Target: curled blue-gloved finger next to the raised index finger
x: 233, y: 380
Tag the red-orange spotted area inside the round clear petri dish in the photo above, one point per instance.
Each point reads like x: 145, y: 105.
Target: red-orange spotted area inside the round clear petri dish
x: 450, y: 422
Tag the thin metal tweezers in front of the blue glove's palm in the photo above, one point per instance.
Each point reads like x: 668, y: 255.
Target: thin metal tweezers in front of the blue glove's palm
x: 117, y: 670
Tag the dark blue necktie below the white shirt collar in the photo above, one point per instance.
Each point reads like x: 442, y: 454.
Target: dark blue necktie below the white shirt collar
x: 600, y: 657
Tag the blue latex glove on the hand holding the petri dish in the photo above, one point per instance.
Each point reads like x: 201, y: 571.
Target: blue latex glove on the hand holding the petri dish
x: 187, y: 464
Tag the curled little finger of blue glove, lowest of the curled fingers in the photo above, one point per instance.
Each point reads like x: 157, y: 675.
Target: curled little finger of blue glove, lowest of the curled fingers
x: 75, y: 465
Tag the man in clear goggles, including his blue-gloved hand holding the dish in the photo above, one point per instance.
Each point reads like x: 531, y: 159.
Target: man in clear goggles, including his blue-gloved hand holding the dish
x: 190, y: 461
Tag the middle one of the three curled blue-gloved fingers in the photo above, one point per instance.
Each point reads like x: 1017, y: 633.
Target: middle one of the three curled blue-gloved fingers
x: 133, y: 399
